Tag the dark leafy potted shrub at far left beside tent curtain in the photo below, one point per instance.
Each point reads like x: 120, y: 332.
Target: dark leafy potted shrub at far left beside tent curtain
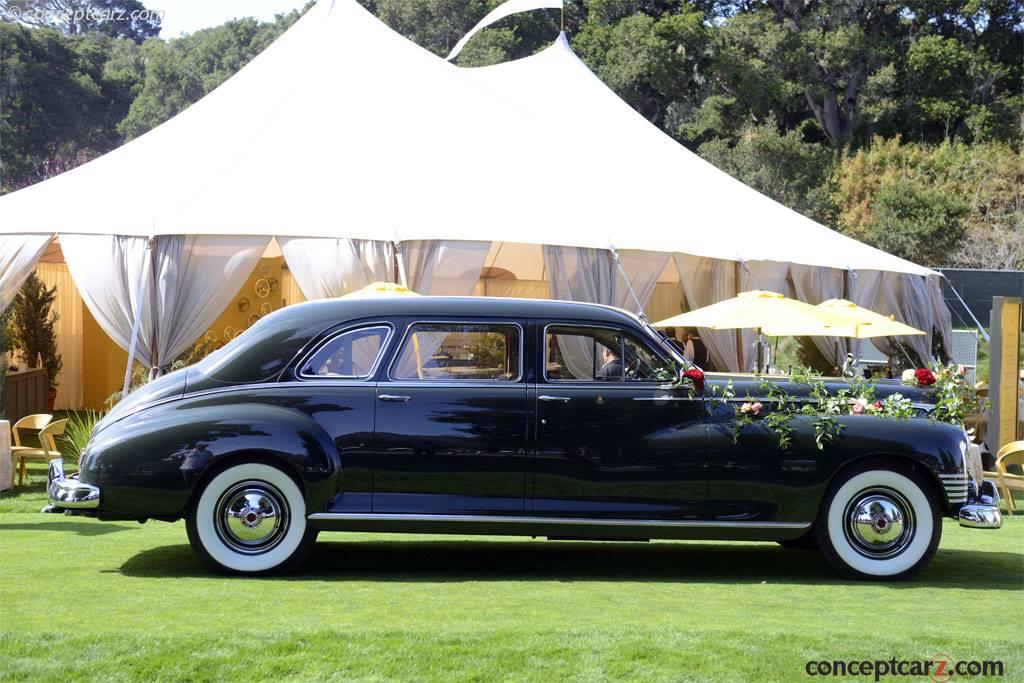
x: 32, y: 328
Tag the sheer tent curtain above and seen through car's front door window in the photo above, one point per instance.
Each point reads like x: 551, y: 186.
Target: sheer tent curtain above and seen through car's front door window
x: 578, y: 274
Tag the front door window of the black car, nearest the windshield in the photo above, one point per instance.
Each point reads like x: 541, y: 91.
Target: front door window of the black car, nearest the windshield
x: 599, y: 355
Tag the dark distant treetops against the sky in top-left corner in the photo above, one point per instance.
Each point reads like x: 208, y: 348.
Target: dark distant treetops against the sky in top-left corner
x: 116, y: 19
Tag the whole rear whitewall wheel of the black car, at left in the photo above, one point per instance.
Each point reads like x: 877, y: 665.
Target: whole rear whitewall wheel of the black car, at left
x: 250, y: 520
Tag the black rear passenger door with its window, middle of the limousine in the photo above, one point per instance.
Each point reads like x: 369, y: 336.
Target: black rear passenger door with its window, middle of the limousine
x: 451, y: 422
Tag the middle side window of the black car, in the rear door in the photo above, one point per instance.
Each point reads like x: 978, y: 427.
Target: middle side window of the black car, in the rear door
x: 455, y: 352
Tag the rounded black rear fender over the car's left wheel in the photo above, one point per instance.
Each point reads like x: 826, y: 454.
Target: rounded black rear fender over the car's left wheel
x: 149, y: 464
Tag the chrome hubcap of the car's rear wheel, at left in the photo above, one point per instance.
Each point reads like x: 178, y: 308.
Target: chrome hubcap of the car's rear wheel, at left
x: 252, y: 518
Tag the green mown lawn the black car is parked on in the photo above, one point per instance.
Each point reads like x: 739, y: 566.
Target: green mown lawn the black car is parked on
x: 82, y: 600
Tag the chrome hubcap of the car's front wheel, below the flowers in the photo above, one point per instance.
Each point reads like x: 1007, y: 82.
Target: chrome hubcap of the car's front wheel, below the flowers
x: 879, y: 523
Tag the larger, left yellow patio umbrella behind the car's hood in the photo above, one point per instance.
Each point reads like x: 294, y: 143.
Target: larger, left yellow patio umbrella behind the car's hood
x: 757, y: 310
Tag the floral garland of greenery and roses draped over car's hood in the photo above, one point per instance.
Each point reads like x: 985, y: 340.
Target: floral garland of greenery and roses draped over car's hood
x: 954, y: 401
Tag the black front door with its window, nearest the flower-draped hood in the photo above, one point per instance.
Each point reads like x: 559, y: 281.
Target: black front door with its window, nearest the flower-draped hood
x: 612, y: 441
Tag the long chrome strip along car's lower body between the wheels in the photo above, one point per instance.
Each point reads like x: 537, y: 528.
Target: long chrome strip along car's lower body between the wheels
x: 696, y: 524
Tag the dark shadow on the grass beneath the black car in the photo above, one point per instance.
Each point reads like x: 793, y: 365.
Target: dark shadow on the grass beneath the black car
x: 687, y: 564
